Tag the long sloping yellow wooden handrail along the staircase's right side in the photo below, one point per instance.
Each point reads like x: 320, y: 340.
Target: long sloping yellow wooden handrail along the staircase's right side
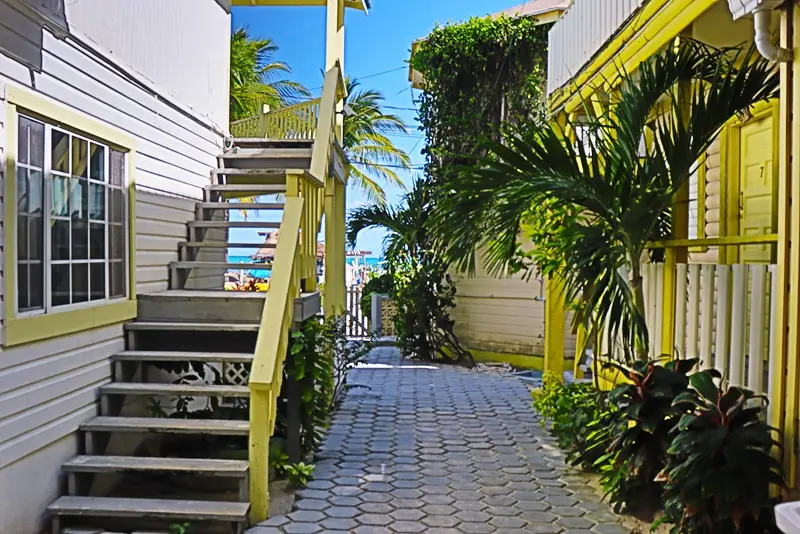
x: 307, y: 199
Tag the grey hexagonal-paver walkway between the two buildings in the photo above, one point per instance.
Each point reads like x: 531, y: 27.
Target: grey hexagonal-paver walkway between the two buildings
x: 440, y: 451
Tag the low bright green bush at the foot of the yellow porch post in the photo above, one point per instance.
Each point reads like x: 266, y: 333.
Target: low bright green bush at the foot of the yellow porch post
x: 575, y: 414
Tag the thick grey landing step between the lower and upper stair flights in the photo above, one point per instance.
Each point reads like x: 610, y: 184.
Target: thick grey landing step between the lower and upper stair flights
x: 201, y: 306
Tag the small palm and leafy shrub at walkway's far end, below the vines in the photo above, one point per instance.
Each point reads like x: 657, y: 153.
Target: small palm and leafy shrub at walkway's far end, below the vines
x: 422, y: 290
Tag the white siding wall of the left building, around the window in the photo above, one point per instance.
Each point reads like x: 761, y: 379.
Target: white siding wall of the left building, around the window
x: 48, y: 388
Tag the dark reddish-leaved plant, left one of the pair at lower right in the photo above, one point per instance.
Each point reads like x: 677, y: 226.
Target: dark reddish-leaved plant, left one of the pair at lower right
x: 638, y: 449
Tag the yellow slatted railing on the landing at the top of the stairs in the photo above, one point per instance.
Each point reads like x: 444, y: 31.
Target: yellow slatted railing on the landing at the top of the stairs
x: 292, y: 122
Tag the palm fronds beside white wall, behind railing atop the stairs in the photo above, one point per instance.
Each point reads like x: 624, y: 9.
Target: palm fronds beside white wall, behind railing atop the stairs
x: 256, y: 78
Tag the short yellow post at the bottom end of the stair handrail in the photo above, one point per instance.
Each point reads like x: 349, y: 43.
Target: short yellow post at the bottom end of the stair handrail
x: 259, y: 454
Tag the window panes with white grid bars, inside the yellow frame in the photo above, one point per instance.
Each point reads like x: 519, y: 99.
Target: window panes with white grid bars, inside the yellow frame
x: 71, y: 219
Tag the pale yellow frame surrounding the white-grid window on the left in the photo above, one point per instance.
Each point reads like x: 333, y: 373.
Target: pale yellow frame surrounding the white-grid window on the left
x: 20, y: 330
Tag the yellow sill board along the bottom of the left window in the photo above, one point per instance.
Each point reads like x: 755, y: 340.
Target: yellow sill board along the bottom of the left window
x: 40, y: 327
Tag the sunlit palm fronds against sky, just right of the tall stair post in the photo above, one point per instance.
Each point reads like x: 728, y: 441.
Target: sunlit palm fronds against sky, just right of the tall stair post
x: 372, y: 154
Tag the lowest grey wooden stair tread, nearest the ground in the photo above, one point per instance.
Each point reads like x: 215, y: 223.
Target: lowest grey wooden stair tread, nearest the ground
x: 234, y: 512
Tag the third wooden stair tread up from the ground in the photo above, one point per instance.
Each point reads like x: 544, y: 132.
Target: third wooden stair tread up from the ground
x: 165, y: 425
